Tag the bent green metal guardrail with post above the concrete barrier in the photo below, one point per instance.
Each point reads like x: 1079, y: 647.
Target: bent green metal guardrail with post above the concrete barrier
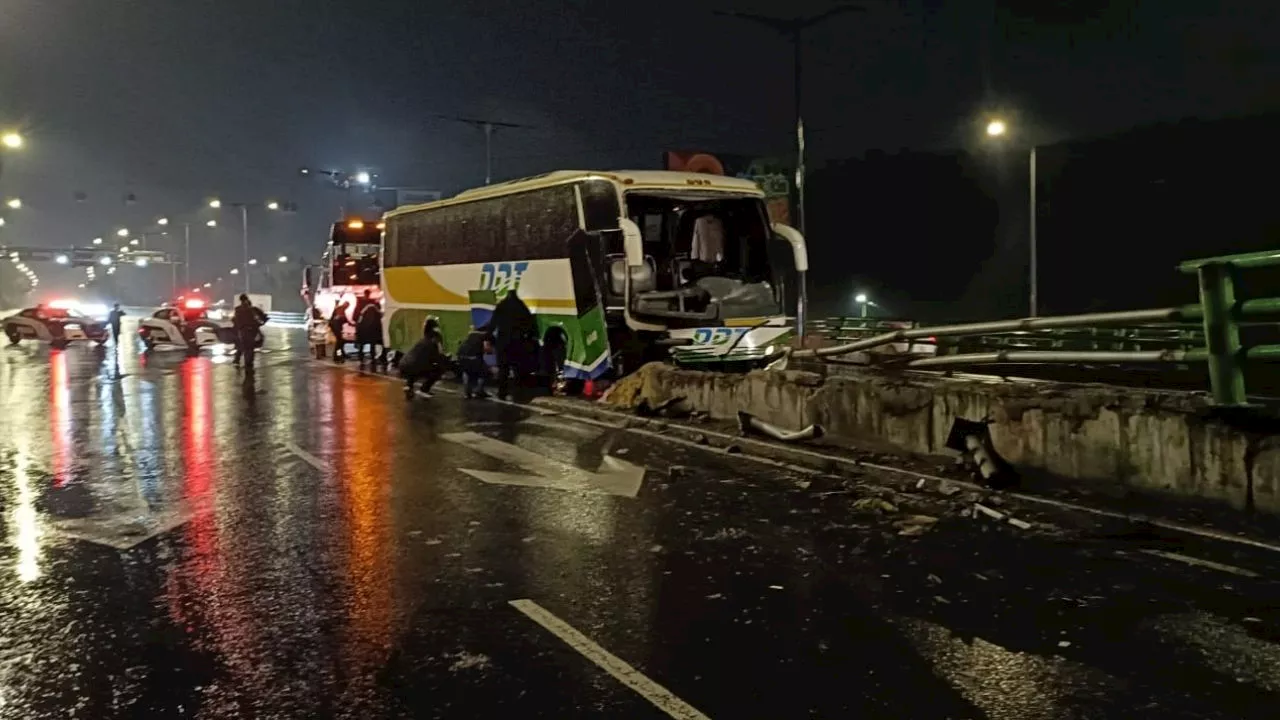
x: 1205, y: 332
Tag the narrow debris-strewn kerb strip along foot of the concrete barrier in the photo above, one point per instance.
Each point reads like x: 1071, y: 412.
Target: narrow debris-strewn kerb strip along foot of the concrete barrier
x: 819, y: 462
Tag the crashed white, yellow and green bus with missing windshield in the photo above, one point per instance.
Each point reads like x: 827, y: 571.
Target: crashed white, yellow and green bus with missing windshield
x: 618, y: 268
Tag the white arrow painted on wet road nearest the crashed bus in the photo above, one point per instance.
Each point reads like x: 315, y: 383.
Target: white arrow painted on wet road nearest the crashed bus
x: 615, y: 477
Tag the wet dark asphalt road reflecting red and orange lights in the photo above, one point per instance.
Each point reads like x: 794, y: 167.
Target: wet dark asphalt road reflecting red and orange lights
x: 179, y: 544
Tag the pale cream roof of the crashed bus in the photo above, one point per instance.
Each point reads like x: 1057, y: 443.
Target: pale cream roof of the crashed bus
x: 630, y: 180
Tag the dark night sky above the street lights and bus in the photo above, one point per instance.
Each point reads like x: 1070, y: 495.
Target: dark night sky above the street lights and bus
x: 179, y: 101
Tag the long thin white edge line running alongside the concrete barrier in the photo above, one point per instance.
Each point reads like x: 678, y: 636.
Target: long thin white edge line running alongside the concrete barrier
x: 853, y: 463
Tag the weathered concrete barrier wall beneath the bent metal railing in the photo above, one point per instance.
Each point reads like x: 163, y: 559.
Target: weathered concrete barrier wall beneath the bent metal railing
x: 1130, y: 440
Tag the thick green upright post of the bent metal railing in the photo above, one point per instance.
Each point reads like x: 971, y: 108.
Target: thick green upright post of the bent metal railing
x: 1222, y: 334
